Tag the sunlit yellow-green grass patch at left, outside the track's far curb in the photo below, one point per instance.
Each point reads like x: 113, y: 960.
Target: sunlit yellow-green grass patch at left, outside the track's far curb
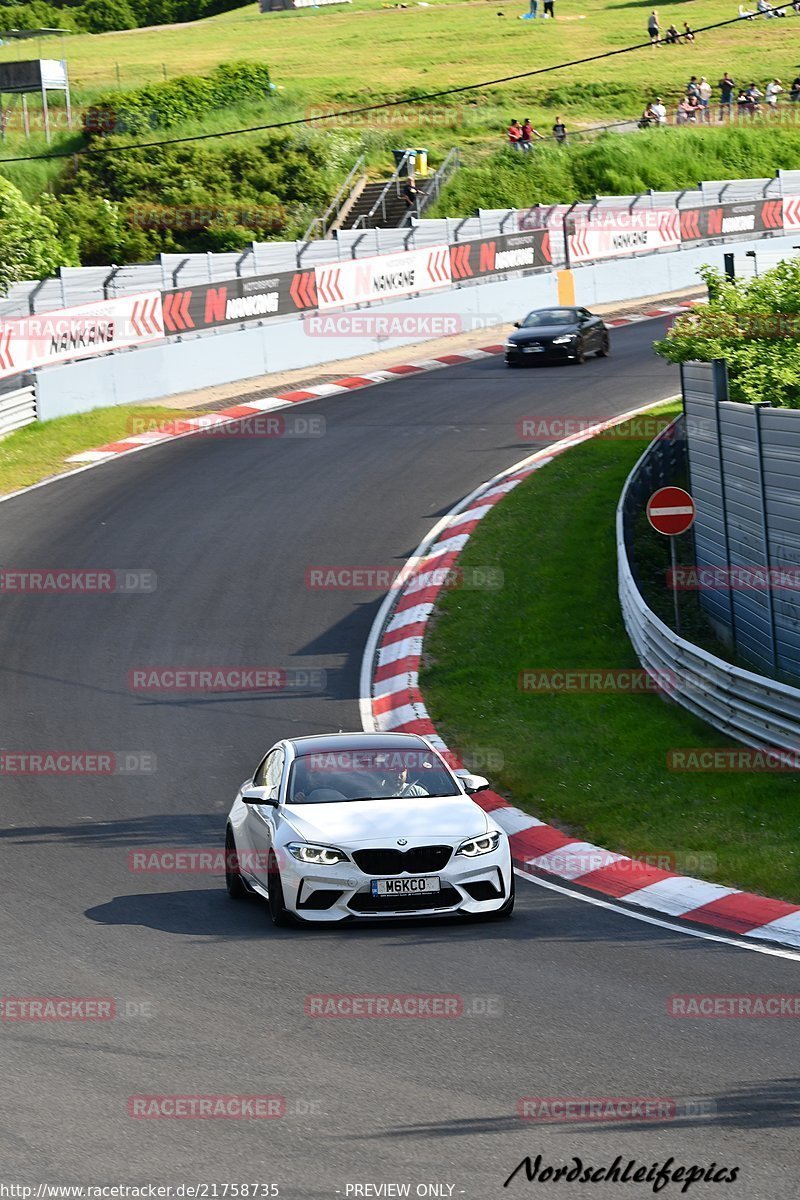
x: 43, y: 449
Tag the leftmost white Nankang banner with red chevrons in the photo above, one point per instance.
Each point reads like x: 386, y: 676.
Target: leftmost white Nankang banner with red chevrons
x: 80, y: 333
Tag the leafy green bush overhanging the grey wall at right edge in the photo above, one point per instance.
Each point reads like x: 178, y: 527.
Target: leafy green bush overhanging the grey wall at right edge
x: 755, y: 326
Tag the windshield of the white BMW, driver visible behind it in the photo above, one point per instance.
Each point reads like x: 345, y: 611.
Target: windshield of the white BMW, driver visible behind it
x: 371, y: 775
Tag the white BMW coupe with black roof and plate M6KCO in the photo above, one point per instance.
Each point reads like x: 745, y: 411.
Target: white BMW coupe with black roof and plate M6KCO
x: 365, y: 825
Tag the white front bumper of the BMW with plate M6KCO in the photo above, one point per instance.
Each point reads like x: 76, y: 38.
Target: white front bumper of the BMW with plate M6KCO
x: 342, y: 892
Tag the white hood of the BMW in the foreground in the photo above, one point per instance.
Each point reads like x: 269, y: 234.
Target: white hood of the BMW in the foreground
x: 382, y: 823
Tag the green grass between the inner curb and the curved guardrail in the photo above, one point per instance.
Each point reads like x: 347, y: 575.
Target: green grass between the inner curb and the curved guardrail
x: 593, y: 764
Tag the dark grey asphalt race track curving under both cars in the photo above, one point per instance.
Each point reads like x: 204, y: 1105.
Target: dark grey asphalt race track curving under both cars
x: 215, y: 995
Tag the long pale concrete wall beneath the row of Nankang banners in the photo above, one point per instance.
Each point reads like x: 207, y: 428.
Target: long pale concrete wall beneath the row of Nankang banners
x: 227, y: 357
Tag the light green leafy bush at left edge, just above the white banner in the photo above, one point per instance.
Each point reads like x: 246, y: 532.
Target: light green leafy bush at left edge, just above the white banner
x: 31, y: 247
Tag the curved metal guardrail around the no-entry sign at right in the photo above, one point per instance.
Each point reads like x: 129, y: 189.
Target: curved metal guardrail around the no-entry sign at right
x: 756, y: 711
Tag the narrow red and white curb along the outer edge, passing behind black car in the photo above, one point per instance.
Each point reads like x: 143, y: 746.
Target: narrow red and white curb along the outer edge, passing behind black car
x: 195, y: 425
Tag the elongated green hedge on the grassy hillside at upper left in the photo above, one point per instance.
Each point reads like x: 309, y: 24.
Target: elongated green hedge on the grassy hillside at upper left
x: 164, y: 106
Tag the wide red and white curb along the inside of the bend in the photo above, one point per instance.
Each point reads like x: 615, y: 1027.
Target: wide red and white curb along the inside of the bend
x: 392, y: 701
